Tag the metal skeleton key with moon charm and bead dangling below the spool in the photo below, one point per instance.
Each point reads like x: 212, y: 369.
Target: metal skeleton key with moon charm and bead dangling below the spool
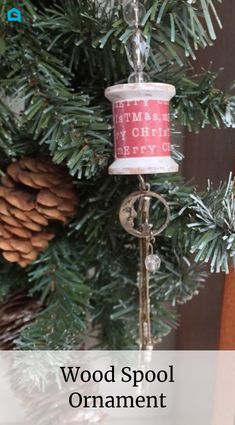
x: 136, y: 221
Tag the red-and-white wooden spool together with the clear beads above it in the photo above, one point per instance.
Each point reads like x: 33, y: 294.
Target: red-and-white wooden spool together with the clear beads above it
x: 140, y: 110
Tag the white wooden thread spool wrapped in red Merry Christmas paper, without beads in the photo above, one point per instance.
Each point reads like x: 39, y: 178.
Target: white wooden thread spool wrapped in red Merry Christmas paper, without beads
x: 141, y: 128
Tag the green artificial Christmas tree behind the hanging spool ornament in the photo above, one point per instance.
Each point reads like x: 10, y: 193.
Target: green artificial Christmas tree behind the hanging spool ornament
x: 58, y: 62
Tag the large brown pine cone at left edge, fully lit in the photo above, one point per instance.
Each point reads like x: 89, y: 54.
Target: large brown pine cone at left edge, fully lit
x: 32, y: 192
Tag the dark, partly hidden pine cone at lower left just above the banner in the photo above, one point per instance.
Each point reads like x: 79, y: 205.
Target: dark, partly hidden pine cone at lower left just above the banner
x: 16, y: 312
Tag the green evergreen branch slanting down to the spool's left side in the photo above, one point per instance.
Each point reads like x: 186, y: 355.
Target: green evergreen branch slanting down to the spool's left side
x: 75, y: 131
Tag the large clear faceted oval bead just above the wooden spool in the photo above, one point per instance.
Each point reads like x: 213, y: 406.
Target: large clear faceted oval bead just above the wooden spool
x: 137, y: 49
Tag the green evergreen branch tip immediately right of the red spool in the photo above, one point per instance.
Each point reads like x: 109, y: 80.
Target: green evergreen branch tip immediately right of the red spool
x: 198, y: 101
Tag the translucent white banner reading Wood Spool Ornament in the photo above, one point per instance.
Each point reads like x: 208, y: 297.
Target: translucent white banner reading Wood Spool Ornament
x: 122, y: 387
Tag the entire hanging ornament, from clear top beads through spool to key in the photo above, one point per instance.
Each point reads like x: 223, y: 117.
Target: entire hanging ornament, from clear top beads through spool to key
x: 141, y: 123
